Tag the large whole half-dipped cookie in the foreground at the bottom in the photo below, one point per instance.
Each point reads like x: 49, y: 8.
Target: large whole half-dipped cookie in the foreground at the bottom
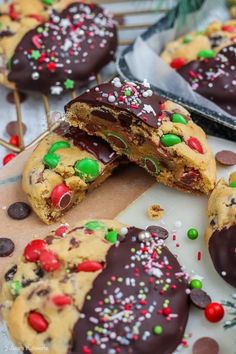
x: 102, y: 287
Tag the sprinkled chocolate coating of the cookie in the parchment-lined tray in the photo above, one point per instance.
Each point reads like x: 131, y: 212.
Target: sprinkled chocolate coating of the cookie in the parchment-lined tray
x: 214, y: 78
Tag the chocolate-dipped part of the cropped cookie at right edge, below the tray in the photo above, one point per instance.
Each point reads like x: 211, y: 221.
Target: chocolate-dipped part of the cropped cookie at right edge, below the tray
x: 222, y: 246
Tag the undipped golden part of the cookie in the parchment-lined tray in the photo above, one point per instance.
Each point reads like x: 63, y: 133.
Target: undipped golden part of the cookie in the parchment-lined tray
x: 199, y: 44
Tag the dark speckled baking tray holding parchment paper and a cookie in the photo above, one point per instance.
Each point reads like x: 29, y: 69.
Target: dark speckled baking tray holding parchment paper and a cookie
x: 213, y: 123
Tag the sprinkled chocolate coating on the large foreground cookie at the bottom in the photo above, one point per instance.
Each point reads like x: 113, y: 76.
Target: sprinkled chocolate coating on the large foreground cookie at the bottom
x: 127, y: 300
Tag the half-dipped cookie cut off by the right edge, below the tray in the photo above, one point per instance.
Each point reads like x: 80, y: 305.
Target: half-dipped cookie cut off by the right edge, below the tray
x: 221, y: 231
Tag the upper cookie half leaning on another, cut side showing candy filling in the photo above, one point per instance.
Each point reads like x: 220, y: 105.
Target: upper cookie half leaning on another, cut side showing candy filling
x: 157, y: 134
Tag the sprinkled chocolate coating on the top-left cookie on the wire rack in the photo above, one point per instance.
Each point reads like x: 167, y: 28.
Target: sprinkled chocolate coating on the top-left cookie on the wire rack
x: 65, y: 51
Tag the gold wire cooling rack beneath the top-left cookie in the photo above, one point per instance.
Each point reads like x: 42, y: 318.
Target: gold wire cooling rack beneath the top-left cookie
x: 132, y: 17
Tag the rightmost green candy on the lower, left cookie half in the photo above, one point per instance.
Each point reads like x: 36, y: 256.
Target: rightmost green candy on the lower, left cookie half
x: 87, y: 169
